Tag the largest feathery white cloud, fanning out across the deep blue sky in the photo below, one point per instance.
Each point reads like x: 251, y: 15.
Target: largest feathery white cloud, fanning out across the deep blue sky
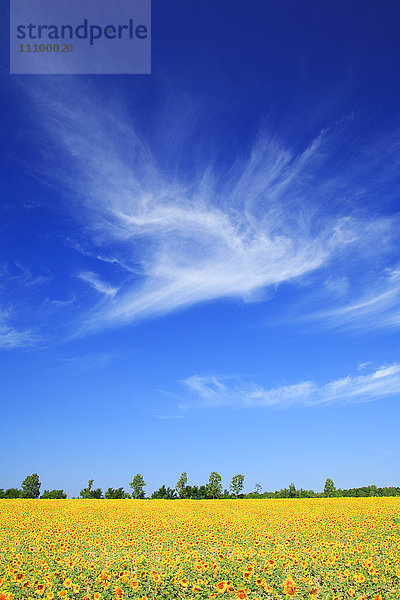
x: 207, y: 233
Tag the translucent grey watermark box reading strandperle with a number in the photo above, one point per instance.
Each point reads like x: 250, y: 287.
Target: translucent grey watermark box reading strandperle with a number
x: 80, y: 37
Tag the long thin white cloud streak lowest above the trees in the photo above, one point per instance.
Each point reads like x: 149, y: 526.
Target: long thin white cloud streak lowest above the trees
x: 214, y: 391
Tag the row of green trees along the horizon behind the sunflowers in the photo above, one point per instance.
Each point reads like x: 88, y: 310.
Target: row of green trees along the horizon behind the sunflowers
x: 212, y: 490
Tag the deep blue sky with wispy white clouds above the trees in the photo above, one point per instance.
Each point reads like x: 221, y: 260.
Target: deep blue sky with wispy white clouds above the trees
x: 200, y: 268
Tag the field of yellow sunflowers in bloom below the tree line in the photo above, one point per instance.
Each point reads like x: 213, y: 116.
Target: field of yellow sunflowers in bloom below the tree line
x: 229, y: 549
